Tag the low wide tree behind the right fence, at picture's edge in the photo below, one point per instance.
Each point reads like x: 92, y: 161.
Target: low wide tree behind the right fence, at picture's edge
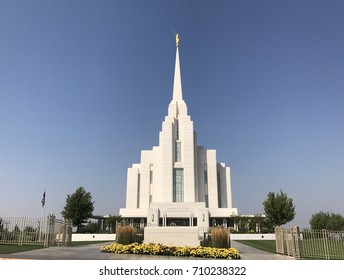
x: 330, y: 221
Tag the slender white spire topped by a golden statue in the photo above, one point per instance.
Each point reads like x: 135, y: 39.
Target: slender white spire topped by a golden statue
x: 177, y: 105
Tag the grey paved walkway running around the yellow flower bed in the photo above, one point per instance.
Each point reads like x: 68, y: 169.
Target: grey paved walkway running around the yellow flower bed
x: 92, y: 252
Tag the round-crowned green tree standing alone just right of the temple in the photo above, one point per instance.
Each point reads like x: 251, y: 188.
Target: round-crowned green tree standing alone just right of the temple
x: 279, y: 208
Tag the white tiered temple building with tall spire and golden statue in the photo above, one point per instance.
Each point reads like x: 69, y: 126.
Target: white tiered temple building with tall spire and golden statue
x: 178, y: 183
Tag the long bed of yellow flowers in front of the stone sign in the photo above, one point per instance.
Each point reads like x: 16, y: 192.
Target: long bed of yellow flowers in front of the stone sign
x: 159, y: 249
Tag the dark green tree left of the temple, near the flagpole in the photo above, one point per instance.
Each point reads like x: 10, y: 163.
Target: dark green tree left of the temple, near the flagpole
x: 79, y: 207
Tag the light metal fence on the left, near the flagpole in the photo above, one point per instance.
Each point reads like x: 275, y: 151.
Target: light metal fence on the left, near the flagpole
x: 47, y: 231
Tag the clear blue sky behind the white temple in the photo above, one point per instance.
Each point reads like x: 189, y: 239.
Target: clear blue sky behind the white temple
x: 85, y: 86
